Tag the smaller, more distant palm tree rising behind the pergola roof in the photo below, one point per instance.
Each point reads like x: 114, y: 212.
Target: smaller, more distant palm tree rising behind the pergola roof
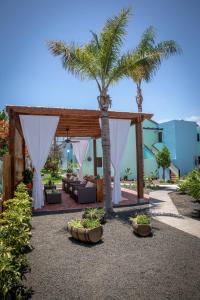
x: 156, y: 53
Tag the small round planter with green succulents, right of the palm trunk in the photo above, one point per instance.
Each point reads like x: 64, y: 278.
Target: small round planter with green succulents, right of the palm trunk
x: 142, y: 225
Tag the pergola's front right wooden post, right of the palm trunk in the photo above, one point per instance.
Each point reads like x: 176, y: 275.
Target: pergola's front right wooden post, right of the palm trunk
x: 139, y: 160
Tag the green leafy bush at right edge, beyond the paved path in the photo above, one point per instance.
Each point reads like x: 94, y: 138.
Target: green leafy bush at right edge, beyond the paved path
x: 191, y: 184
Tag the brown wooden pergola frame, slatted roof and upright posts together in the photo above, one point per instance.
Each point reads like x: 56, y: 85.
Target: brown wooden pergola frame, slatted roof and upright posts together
x: 80, y: 122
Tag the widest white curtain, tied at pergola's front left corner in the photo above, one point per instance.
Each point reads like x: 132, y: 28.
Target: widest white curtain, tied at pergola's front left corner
x: 38, y: 133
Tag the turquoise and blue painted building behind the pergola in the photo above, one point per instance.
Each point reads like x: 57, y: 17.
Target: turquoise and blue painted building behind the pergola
x: 182, y: 138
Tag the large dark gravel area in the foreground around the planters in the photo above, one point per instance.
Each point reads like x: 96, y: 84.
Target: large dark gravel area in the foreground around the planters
x: 122, y: 266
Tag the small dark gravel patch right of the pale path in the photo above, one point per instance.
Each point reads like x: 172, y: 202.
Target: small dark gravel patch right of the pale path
x: 185, y: 204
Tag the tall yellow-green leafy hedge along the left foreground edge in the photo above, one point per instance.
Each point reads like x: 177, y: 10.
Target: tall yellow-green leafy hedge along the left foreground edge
x: 15, y: 236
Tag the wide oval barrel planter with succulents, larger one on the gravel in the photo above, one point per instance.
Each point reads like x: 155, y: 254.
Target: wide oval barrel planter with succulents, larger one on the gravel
x: 85, y: 230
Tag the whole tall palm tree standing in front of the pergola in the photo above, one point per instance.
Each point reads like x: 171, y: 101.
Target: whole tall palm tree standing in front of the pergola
x: 99, y: 60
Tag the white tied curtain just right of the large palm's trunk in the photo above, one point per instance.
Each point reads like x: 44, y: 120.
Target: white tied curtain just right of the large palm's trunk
x: 119, y: 130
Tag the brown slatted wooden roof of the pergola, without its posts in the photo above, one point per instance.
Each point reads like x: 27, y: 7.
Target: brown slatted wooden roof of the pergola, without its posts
x: 80, y: 122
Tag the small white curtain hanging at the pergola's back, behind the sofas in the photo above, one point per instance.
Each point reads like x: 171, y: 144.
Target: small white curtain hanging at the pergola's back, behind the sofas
x: 80, y: 150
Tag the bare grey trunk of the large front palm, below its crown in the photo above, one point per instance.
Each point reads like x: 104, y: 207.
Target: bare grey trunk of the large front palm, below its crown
x: 105, y: 135
